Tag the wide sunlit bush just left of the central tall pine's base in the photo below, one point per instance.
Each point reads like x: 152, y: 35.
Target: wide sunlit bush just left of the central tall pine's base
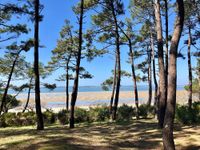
x: 99, y: 113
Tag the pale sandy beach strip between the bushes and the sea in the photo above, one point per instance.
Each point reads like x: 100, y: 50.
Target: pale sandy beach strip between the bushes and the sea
x: 56, y: 101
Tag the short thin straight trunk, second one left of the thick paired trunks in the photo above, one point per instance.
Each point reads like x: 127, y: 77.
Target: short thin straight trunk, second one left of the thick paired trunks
x: 149, y: 78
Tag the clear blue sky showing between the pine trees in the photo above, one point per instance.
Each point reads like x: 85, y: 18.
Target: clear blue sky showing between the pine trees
x: 55, y: 12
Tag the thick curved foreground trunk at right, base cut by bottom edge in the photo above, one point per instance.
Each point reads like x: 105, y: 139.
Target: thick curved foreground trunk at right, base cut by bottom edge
x: 168, y: 139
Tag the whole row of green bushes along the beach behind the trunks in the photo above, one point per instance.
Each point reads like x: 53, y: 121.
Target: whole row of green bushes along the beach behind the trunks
x: 184, y: 115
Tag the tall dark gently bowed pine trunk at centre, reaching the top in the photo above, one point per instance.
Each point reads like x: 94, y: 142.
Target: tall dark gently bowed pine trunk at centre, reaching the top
x: 117, y: 43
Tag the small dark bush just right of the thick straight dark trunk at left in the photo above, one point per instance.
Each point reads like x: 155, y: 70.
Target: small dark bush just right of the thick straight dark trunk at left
x: 49, y: 117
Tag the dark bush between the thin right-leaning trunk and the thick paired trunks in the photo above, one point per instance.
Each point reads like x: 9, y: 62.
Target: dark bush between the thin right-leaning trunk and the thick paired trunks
x: 145, y: 110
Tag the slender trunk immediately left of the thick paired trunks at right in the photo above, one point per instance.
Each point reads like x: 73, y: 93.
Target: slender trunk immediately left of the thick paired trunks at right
x: 154, y: 74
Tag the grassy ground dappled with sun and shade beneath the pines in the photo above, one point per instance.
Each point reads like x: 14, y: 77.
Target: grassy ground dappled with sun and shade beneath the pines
x: 142, y: 134
